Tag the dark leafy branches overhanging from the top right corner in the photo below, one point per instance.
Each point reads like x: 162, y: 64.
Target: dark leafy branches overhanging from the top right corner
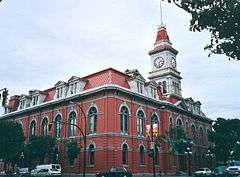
x: 221, y: 18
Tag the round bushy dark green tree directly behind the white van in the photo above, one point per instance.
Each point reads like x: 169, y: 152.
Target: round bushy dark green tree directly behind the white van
x: 39, y: 147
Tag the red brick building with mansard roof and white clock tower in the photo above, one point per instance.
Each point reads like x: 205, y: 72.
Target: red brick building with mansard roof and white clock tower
x: 118, y: 106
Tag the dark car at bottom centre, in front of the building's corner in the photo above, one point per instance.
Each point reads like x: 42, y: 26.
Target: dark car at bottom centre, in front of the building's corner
x: 115, y: 172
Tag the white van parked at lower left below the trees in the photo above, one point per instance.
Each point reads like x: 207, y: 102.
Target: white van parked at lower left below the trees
x: 47, y: 170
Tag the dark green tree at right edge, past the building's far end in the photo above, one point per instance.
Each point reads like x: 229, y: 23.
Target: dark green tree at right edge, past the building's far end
x: 226, y: 139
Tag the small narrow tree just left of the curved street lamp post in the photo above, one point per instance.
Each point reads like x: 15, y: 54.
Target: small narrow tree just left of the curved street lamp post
x: 72, y: 150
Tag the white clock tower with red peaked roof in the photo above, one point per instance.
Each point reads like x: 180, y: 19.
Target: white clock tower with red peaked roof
x: 164, y: 65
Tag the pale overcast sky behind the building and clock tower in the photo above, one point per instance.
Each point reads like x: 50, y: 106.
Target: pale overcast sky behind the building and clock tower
x: 43, y: 41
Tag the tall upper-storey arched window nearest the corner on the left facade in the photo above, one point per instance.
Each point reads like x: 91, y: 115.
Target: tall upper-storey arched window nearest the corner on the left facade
x: 92, y: 120
